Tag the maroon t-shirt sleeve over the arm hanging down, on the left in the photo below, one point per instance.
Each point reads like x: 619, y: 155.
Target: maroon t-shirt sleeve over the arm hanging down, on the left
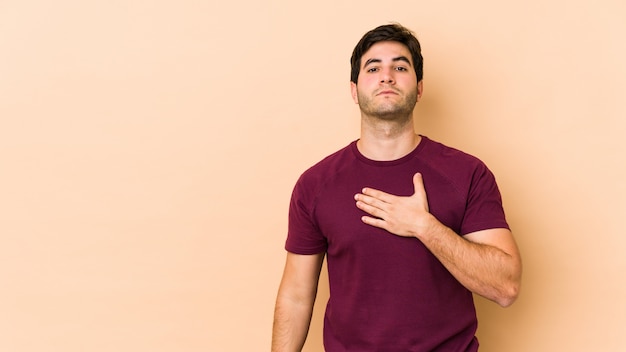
x: 304, y: 236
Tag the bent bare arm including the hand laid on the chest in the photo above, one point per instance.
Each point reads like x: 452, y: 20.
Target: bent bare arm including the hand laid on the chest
x: 486, y: 262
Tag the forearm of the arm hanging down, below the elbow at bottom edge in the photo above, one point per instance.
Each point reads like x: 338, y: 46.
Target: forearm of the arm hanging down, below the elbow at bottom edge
x: 291, y: 324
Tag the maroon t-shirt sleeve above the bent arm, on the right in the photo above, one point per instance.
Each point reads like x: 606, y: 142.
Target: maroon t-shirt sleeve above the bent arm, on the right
x: 484, y: 203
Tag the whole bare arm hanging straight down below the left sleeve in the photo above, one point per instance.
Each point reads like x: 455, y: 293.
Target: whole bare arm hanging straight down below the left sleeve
x: 294, y: 303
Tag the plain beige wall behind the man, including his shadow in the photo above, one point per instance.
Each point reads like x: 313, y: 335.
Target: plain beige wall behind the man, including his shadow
x: 148, y: 150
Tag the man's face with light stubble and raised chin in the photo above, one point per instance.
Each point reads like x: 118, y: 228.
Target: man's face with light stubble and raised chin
x: 387, y: 87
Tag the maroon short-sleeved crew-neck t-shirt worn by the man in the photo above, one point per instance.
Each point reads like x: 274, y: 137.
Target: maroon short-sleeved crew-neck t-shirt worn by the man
x: 389, y: 293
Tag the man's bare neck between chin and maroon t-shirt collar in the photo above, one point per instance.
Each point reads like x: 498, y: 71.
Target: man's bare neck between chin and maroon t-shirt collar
x: 387, y: 140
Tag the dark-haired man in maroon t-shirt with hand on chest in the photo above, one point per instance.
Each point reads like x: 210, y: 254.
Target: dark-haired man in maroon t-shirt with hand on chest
x: 410, y: 227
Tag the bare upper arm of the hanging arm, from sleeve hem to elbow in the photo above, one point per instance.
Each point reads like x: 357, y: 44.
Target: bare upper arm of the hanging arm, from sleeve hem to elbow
x: 301, y: 275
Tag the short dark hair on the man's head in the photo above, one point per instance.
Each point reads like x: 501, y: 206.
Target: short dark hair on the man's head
x: 390, y: 32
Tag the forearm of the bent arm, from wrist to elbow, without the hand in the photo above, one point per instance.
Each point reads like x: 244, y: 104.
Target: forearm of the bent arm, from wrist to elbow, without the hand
x: 484, y: 269
